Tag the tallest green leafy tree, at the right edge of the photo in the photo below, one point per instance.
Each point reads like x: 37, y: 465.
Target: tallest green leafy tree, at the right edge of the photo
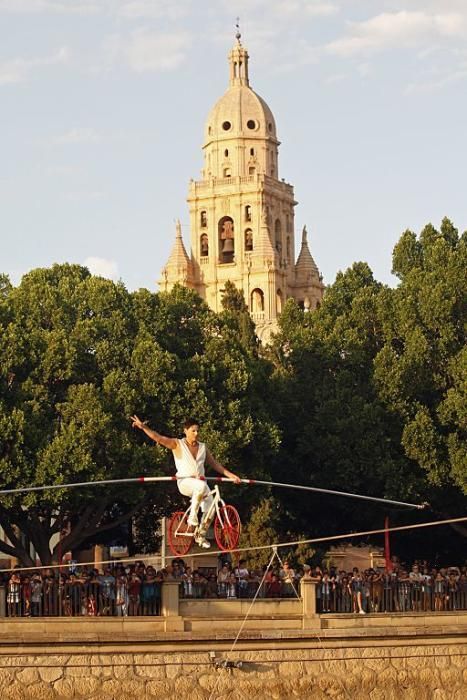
x: 421, y: 370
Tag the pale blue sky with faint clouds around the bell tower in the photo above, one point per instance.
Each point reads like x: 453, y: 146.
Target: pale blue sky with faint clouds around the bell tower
x: 97, y: 143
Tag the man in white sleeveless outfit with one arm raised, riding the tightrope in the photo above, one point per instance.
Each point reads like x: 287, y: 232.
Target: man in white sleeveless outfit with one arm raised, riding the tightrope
x: 190, y: 456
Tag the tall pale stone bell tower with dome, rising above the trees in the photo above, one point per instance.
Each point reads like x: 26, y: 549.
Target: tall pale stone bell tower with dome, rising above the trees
x: 242, y: 214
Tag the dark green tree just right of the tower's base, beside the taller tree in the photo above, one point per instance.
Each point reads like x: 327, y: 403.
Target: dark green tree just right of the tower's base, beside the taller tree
x: 337, y: 433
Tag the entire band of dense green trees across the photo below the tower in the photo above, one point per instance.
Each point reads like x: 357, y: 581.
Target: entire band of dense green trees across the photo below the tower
x: 367, y: 395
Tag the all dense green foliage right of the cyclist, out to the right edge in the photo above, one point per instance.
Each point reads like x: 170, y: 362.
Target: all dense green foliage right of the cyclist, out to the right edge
x: 372, y: 393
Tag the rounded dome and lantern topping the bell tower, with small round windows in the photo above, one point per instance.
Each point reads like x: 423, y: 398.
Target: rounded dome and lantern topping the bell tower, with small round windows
x: 240, y: 111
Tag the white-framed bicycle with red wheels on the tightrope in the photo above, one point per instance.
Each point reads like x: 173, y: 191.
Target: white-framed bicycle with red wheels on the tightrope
x: 227, y: 526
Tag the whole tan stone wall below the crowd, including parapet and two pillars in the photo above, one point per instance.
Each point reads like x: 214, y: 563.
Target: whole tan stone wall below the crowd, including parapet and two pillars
x: 191, y: 652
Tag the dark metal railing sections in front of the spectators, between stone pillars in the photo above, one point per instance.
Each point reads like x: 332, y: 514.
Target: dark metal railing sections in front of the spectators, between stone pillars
x: 75, y: 598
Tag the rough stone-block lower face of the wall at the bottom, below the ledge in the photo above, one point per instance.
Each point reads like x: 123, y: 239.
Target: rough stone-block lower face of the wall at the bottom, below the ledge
x: 412, y: 671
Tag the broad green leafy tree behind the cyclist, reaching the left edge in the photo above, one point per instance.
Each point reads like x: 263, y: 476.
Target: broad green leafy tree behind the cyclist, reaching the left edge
x: 78, y: 355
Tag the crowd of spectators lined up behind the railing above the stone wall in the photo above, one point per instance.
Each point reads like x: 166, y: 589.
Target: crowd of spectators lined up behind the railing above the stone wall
x: 135, y: 589
